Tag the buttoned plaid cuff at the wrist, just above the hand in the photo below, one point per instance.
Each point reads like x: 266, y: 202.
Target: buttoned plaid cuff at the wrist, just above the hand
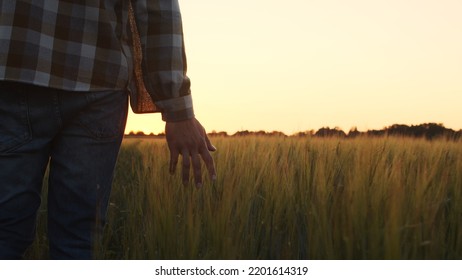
x: 177, y: 109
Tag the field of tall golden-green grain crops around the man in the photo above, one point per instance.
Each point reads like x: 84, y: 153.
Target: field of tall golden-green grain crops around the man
x: 288, y: 198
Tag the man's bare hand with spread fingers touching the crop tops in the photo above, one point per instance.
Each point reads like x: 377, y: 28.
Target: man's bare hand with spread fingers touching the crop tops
x: 189, y: 139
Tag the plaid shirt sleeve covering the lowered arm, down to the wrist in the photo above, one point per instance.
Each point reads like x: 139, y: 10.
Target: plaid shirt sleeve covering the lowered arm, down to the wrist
x: 163, y: 57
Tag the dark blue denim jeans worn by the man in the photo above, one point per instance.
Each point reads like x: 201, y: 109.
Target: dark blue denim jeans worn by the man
x: 79, y: 135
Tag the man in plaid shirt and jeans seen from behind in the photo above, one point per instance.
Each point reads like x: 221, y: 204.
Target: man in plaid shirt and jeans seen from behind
x: 66, y: 68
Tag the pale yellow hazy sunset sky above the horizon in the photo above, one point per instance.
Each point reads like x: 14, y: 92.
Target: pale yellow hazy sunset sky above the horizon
x: 296, y: 65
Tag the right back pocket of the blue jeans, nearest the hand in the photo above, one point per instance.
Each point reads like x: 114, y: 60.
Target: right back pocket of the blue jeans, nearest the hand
x: 105, y: 115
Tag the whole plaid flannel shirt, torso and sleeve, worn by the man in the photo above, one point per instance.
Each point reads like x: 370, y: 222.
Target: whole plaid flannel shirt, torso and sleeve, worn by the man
x: 89, y: 46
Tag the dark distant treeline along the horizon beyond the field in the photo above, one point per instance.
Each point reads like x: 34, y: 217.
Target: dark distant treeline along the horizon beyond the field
x: 427, y: 130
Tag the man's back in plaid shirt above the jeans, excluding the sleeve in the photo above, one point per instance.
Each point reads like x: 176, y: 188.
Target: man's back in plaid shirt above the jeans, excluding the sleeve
x: 71, y: 45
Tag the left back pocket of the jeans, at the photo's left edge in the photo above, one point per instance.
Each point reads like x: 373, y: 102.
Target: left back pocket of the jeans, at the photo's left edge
x: 15, y: 128
